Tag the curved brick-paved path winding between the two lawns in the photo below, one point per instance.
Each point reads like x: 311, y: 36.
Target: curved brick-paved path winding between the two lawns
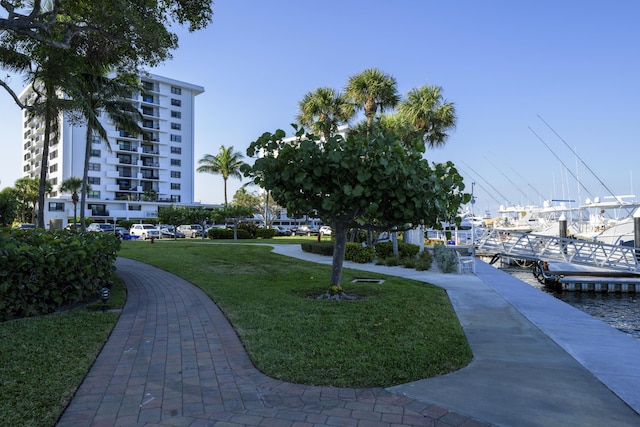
x: 174, y: 360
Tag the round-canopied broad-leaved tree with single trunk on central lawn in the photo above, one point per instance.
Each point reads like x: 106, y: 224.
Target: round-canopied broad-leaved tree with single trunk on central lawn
x: 364, y: 180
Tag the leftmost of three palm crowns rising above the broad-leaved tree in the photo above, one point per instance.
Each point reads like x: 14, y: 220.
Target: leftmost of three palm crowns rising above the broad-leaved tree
x: 323, y: 110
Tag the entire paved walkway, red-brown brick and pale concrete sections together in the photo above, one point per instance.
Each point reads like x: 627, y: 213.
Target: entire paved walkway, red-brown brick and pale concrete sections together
x: 174, y: 360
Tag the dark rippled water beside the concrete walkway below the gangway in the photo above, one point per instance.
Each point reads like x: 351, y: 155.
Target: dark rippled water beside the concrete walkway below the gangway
x: 622, y: 311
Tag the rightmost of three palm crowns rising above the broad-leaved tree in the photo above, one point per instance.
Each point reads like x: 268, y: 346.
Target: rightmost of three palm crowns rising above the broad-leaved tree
x: 426, y: 109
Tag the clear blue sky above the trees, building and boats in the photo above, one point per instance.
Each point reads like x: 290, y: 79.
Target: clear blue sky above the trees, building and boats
x: 502, y: 63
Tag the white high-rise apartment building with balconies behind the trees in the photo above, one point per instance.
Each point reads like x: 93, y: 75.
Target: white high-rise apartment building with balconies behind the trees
x: 130, y: 176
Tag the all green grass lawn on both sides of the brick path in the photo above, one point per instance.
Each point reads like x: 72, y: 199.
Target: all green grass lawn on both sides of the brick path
x: 397, y: 332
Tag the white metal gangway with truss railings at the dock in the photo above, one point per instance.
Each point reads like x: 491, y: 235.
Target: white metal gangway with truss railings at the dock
x: 533, y: 247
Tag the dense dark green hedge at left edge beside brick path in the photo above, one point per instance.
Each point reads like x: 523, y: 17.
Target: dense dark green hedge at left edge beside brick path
x: 41, y: 271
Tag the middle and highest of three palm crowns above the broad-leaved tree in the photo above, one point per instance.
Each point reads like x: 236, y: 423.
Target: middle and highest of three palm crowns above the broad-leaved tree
x: 372, y: 90
